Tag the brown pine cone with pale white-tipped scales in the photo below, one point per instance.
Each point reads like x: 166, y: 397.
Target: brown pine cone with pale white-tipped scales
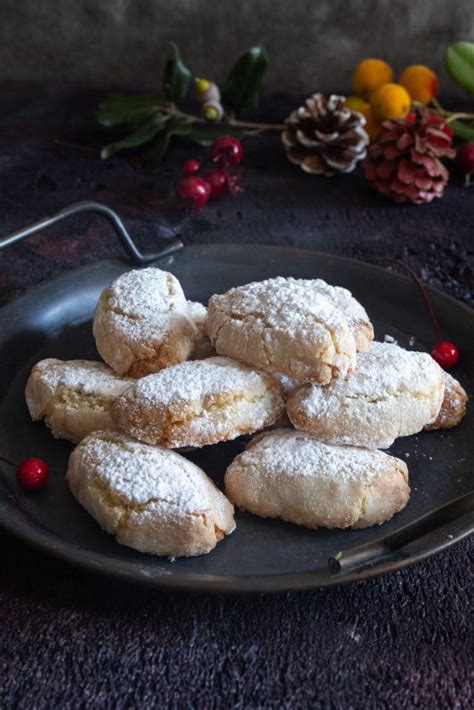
x: 324, y: 136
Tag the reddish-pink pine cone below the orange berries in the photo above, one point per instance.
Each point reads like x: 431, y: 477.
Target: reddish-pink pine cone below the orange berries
x: 404, y: 164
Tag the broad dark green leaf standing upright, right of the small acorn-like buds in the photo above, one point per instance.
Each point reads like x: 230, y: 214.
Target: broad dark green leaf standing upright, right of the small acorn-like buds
x: 243, y: 87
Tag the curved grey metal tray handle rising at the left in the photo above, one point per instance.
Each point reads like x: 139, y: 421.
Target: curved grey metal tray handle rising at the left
x: 110, y: 215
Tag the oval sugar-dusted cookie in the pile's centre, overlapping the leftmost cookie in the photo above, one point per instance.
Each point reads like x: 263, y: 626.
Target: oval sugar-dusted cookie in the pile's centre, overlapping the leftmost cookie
x: 198, y: 403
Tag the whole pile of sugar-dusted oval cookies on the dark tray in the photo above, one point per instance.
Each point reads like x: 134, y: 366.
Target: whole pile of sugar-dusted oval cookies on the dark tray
x: 292, y: 359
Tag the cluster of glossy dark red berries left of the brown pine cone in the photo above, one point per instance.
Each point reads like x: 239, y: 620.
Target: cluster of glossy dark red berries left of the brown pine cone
x: 214, y: 181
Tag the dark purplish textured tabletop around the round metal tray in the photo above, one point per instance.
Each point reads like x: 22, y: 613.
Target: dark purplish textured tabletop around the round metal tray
x: 69, y: 639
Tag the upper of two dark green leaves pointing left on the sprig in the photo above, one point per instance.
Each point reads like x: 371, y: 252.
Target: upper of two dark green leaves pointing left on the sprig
x: 126, y: 109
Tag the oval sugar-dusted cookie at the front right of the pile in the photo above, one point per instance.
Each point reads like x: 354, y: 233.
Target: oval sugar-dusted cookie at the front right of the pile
x: 291, y: 475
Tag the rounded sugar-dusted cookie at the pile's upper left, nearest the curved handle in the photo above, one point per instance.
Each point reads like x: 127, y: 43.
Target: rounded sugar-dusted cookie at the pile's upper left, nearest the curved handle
x: 142, y: 323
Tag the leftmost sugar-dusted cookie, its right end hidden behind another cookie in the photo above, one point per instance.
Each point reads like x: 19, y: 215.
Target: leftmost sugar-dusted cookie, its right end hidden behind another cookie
x: 74, y: 396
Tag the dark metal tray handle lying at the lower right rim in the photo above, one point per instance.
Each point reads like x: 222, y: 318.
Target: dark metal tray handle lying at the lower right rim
x: 453, y: 520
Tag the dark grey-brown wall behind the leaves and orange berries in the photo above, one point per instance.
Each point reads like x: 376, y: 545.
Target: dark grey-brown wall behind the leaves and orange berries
x: 313, y: 44
